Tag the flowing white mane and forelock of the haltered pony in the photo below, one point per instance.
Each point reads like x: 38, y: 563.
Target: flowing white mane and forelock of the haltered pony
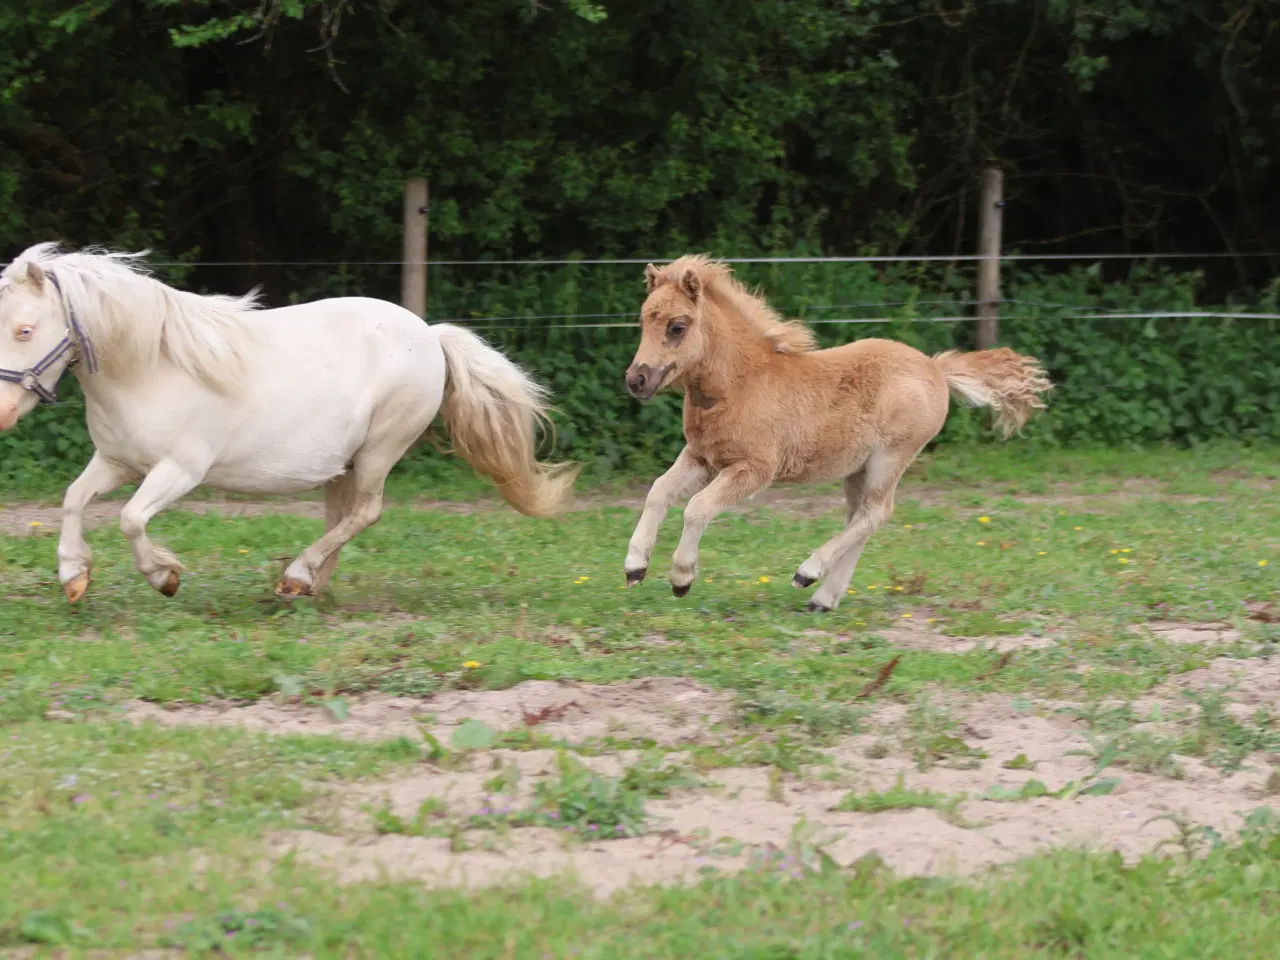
x: 136, y: 321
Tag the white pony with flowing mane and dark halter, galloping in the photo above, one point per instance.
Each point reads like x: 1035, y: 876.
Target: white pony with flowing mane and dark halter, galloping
x: 184, y: 390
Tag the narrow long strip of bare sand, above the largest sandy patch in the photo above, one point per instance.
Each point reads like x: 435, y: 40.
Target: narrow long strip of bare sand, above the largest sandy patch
x: 665, y: 710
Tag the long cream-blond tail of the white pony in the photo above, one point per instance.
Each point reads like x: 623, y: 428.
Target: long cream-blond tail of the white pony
x: 493, y: 413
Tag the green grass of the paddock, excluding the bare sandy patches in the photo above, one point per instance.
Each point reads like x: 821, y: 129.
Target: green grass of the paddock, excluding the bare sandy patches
x: 106, y: 825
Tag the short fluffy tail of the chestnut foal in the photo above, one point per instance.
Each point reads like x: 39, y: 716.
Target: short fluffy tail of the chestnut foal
x: 1007, y: 382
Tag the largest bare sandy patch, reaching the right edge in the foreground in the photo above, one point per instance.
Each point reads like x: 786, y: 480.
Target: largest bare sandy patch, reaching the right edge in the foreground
x: 977, y: 811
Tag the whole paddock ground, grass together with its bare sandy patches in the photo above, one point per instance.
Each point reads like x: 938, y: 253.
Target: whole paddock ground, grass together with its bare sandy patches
x: 1035, y: 641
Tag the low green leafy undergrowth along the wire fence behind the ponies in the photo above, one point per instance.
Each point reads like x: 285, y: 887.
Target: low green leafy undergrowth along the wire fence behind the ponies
x: 1119, y: 382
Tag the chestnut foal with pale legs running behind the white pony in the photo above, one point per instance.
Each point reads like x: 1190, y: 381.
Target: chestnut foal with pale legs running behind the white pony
x: 762, y: 405
